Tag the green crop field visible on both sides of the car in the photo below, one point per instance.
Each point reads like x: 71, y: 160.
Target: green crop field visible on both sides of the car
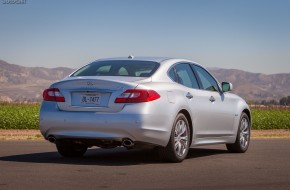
x: 25, y: 116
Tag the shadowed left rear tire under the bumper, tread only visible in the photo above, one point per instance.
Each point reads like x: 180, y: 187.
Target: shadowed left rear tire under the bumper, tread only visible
x: 69, y: 149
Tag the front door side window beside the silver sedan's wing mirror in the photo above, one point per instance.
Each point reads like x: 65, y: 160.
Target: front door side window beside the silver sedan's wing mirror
x: 207, y: 81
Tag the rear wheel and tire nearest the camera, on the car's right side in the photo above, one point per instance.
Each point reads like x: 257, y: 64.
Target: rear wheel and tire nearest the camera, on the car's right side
x: 178, y: 145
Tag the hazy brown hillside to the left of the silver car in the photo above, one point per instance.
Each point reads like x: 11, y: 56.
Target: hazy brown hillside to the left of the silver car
x: 18, y: 83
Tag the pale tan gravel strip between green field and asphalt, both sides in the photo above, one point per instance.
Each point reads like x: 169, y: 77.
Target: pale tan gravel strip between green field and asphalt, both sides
x: 36, y: 135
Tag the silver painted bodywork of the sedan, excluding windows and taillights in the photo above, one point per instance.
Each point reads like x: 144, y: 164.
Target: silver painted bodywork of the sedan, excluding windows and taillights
x: 150, y: 122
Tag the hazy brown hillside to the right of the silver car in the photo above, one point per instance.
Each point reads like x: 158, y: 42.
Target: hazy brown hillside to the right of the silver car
x: 255, y: 86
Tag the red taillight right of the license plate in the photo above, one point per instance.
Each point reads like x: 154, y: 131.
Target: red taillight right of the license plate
x: 137, y: 96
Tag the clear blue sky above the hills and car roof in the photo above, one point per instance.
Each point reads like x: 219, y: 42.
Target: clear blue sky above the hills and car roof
x: 252, y: 35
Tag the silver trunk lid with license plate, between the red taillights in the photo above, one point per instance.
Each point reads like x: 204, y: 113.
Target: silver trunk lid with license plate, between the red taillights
x: 94, y: 93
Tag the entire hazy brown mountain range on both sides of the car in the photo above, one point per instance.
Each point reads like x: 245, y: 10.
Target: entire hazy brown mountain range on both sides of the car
x: 18, y: 83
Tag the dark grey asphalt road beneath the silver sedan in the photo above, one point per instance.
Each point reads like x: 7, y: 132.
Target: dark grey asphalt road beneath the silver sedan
x: 37, y: 165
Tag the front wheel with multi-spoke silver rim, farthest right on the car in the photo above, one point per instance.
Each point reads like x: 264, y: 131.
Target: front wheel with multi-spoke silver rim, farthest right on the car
x: 243, y: 136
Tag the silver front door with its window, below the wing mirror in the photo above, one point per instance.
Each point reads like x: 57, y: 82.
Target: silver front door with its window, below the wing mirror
x: 215, y: 115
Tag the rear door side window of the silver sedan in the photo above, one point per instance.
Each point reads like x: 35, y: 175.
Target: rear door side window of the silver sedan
x: 185, y: 76
